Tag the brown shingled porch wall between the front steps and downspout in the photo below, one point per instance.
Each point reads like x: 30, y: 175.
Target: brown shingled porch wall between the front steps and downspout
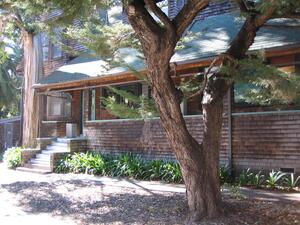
x: 145, y: 137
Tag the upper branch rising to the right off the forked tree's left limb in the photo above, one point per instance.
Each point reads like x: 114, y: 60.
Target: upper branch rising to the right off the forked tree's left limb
x: 187, y: 14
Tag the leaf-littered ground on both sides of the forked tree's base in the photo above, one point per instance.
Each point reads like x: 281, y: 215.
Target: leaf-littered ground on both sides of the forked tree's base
x: 91, y: 202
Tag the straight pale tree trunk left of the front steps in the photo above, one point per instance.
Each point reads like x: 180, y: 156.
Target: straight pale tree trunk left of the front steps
x: 32, y: 69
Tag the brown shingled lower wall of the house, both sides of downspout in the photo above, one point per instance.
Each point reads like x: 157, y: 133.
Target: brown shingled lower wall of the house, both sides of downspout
x: 261, y: 141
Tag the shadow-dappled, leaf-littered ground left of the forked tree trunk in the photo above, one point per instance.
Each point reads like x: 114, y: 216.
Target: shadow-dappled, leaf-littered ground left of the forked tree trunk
x: 89, y: 203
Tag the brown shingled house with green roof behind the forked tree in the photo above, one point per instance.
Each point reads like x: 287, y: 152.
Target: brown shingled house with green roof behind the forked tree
x: 258, y: 137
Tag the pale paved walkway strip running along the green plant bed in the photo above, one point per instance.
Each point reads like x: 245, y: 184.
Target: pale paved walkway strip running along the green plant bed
x: 9, y: 176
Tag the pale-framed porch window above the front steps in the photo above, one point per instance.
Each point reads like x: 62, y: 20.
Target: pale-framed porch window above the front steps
x: 59, y: 105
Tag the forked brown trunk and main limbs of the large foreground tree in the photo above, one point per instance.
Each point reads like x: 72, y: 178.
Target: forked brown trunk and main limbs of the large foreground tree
x: 199, y: 162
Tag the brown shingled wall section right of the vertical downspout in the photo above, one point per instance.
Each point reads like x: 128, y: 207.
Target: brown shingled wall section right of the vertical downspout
x: 266, y: 141
